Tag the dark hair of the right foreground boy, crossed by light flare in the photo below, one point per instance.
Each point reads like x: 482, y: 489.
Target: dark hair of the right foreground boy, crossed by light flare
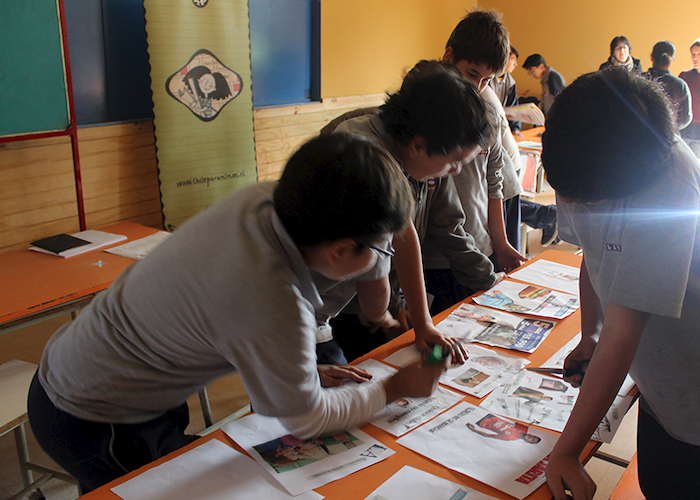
x: 609, y: 135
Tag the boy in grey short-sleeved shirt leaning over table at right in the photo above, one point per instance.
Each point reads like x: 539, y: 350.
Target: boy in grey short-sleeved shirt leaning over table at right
x: 628, y: 193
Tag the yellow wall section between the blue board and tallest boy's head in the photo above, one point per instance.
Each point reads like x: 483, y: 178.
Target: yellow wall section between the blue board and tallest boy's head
x: 368, y: 45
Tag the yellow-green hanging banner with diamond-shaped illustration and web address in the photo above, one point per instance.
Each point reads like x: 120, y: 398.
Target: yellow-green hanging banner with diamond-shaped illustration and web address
x: 199, y: 53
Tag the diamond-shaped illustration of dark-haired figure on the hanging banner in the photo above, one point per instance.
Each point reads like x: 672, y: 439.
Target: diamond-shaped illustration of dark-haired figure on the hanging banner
x: 204, y: 85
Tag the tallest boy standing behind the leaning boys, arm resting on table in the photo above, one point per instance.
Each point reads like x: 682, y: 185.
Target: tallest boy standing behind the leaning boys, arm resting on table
x: 479, y: 46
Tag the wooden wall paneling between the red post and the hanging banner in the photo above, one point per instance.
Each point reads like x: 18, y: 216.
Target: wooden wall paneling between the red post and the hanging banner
x: 120, y: 180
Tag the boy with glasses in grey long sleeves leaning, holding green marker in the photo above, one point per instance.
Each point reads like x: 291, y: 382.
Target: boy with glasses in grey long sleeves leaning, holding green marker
x: 229, y: 290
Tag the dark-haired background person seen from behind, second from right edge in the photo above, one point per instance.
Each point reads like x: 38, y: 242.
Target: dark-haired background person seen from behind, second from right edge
x: 677, y: 90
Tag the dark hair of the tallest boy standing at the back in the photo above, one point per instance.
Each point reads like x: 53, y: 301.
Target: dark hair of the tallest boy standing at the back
x: 481, y: 38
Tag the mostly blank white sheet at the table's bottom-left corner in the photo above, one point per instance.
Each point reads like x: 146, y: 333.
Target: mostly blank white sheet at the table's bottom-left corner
x: 212, y: 471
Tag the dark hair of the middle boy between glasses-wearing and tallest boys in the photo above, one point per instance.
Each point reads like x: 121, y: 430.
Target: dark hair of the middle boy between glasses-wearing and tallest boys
x: 437, y: 103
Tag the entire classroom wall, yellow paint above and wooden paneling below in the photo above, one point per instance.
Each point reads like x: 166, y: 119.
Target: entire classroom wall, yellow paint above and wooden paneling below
x: 366, y: 47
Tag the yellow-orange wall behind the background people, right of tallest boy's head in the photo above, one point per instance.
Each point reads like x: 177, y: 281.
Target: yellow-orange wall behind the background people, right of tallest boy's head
x: 574, y: 37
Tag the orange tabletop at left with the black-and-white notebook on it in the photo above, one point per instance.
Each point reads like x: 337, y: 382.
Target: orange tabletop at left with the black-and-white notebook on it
x: 34, y: 282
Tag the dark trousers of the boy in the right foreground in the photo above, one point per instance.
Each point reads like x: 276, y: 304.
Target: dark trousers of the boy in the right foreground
x: 667, y: 468
